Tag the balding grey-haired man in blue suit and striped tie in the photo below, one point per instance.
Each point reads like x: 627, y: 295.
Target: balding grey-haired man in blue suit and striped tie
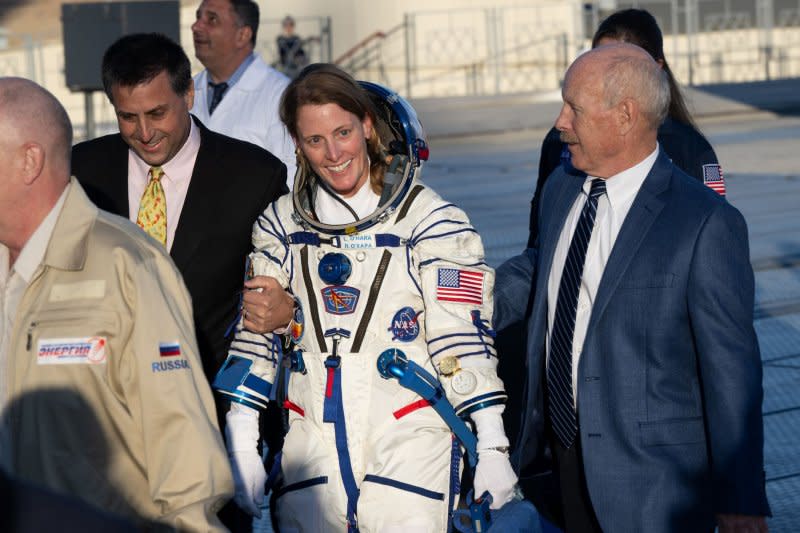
x: 644, y: 374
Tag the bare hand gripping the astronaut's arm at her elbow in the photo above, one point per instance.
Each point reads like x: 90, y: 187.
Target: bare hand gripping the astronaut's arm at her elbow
x: 266, y: 306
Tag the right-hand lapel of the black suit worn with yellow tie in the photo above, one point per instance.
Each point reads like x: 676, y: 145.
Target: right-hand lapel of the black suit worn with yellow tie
x: 198, y: 208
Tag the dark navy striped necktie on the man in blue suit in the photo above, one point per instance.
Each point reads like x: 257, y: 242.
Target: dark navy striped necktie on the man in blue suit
x: 559, y: 367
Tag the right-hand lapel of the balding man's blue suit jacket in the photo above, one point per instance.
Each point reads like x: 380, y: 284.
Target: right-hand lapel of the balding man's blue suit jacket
x: 643, y: 212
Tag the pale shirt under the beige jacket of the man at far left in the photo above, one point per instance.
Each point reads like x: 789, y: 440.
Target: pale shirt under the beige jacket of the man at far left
x: 14, y: 280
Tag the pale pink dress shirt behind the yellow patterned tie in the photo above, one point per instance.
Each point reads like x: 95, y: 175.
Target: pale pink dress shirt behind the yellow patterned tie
x: 175, y: 181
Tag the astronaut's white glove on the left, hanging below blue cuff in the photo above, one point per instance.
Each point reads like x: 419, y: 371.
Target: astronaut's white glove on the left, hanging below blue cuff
x: 249, y: 476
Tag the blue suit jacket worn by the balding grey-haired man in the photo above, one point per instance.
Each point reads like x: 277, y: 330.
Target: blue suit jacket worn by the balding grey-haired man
x: 669, y: 381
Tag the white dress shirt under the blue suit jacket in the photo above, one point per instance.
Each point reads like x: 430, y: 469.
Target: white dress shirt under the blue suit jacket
x: 612, y: 208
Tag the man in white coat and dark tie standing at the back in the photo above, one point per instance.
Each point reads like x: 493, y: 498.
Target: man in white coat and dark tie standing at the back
x: 238, y: 94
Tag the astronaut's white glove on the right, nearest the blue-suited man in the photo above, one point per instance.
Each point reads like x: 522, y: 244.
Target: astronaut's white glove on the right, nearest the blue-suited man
x: 493, y: 471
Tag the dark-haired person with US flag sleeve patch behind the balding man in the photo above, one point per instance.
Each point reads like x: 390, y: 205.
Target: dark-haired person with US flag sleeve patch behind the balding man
x: 678, y: 136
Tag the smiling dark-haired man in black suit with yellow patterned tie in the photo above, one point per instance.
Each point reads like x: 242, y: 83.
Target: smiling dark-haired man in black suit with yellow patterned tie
x: 214, y: 186
